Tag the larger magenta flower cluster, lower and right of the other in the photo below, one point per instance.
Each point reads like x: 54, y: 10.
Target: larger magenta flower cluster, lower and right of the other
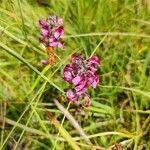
x: 81, y: 73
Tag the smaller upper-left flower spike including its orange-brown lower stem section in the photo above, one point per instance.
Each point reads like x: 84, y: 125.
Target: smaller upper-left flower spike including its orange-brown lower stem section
x: 51, y: 31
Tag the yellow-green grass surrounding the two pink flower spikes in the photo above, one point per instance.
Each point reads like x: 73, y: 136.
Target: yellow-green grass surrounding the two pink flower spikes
x: 118, y: 32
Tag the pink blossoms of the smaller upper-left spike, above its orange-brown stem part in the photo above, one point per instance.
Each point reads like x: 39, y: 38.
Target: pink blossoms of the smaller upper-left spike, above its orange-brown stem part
x: 51, y: 30
